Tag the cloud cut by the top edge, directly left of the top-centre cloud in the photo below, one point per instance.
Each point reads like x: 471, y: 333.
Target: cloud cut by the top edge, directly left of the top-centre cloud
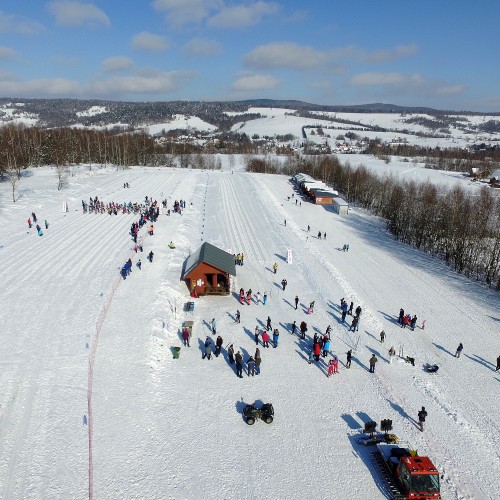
x: 181, y: 12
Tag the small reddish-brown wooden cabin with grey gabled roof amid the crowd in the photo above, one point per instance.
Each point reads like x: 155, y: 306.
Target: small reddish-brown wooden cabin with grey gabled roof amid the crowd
x: 208, y: 271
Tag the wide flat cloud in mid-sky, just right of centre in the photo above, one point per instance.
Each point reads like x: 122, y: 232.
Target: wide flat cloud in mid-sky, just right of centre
x: 288, y: 55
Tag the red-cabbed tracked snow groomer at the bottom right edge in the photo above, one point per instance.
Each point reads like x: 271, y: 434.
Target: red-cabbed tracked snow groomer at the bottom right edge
x: 408, y: 475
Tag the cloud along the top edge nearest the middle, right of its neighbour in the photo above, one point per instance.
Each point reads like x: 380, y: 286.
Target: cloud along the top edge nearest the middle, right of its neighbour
x: 242, y: 16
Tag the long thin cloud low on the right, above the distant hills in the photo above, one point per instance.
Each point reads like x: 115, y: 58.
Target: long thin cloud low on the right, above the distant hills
x: 402, y: 83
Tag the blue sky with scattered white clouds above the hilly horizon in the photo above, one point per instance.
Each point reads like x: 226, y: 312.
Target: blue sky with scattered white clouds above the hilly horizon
x: 439, y: 53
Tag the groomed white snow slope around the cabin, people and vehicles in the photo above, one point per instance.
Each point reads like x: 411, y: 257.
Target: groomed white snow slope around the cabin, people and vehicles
x: 76, y: 338
